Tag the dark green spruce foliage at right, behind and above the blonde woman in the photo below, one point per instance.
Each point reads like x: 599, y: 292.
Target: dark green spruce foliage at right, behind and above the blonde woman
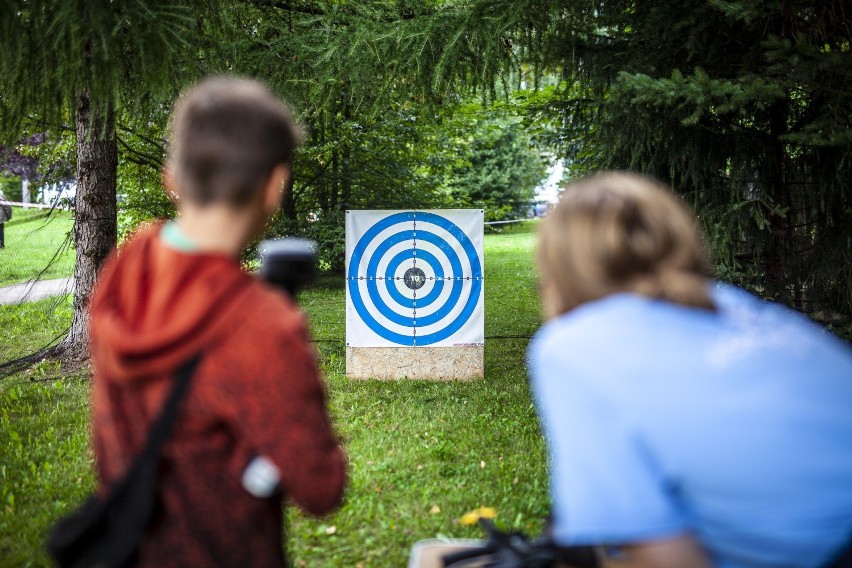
x: 745, y: 108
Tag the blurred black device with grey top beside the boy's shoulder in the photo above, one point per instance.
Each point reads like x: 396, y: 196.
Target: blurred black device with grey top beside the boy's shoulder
x: 289, y: 263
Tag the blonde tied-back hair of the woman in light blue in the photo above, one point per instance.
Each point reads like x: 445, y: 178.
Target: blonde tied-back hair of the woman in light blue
x: 622, y: 232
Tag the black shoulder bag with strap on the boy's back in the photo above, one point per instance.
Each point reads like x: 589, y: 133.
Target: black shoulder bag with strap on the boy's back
x: 106, y: 531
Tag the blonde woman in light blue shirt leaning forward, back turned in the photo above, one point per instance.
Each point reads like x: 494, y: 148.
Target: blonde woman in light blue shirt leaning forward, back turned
x: 688, y: 422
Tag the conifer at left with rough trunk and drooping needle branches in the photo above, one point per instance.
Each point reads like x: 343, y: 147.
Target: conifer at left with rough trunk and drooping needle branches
x: 81, y: 62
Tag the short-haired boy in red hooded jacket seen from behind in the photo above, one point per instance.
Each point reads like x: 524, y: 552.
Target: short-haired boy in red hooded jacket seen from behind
x: 177, y: 290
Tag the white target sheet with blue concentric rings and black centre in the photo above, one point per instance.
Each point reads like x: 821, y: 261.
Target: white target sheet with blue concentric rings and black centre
x: 415, y: 278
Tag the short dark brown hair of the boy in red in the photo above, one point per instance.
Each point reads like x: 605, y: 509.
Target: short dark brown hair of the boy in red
x: 227, y: 135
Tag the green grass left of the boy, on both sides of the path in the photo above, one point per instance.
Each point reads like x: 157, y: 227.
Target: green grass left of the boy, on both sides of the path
x: 45, y: 465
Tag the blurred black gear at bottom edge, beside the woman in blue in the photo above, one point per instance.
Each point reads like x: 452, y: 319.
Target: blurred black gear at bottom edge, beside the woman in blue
x: 514, y: 550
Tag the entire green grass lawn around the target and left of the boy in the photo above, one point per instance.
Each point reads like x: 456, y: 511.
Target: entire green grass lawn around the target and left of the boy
x: 421, y: 453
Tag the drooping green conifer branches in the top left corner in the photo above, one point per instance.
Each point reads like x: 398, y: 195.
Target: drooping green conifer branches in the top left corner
x: 122, y: 54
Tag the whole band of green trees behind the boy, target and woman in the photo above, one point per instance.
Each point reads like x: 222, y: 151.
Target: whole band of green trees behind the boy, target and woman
x: 743, y: 107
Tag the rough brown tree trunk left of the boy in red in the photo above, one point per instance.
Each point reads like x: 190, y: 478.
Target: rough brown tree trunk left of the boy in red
x: 95, y: 220
